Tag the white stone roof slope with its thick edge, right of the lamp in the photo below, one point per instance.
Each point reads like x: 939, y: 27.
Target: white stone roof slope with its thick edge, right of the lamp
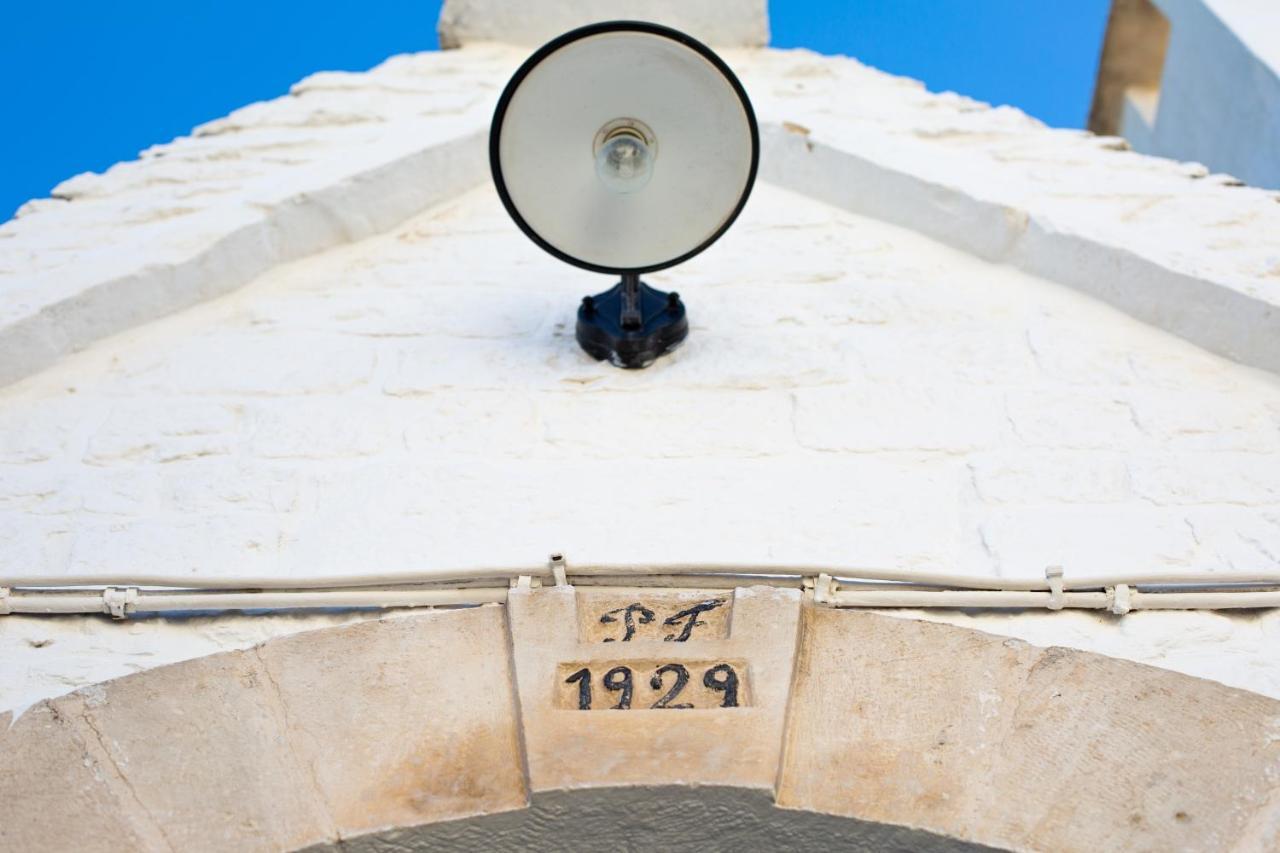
x: 1180, y: 249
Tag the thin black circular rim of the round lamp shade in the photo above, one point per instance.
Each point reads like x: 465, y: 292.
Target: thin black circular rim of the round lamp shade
x: 595, y: 30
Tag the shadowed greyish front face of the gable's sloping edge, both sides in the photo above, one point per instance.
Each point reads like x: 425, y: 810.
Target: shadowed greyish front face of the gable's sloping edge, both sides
x: 359, y: 203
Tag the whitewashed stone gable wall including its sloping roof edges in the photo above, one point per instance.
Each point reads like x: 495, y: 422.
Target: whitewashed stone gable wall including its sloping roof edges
x: 883, y: 377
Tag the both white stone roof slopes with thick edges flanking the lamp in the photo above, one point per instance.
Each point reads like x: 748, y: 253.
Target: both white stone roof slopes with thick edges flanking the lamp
x: 350, y: 156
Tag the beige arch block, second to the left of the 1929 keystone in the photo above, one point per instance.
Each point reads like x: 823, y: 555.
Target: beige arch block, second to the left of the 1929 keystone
x: 203, y: 749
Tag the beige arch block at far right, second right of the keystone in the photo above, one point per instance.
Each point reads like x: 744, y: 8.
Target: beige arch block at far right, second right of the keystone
x: 1168, y: 763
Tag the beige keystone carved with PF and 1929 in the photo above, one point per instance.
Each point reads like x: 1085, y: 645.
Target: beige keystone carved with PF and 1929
x: 618, y: 737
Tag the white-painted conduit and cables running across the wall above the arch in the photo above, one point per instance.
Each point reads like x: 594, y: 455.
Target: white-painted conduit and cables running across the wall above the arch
x: 862, y: 589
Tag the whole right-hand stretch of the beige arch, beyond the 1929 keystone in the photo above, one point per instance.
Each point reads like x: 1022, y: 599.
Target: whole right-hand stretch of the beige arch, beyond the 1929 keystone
x: 1005, y: 745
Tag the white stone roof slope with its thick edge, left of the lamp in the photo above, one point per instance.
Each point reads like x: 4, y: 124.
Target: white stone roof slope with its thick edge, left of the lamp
x: 341, y: 158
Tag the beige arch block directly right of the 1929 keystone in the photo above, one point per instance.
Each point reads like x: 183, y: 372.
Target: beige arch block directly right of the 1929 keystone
x: 885, y: 722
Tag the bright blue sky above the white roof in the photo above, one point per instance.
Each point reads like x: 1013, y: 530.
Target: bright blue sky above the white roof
x: 92, y: 84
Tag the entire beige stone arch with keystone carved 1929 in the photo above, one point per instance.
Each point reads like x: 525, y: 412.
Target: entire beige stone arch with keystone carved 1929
x: 877, y: 729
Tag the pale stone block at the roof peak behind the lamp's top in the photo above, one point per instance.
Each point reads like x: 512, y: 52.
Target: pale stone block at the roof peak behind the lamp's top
x: 743, y: 24
